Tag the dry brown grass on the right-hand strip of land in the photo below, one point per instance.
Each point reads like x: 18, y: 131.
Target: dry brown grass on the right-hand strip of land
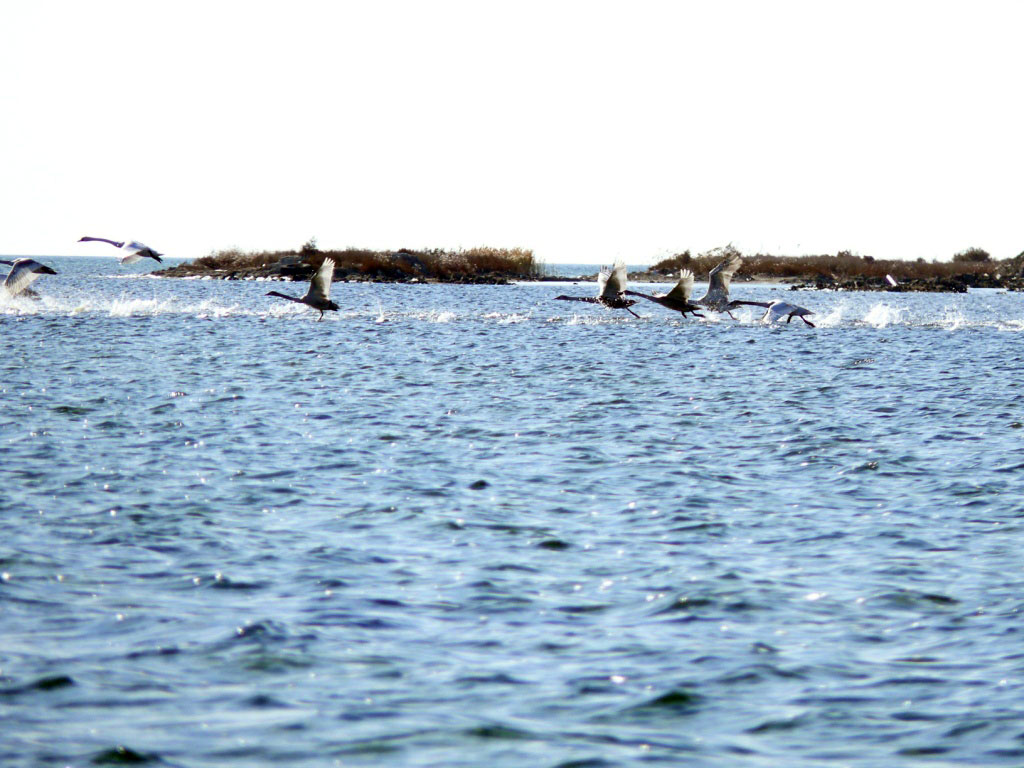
x: 843, y: 266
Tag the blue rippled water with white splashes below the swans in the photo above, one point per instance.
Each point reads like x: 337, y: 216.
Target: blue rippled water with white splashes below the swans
x: 471, y: 526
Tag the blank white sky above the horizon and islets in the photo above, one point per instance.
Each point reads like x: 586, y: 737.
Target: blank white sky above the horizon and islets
x: 585, y: 132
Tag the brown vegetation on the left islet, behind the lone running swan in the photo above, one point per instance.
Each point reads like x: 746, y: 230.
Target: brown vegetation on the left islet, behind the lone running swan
x: 436, y: 266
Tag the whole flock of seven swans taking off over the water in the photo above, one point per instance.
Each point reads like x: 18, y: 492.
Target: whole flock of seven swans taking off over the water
x: 612, y: 291
